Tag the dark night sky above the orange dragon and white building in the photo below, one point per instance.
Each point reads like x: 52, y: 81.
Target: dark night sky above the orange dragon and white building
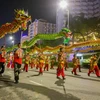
x: 44, y: 9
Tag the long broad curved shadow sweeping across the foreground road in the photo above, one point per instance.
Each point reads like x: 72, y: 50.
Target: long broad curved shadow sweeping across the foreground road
x: 50, y: 93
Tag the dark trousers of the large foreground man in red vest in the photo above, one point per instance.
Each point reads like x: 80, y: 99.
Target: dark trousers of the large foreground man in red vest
x: 16, y: 71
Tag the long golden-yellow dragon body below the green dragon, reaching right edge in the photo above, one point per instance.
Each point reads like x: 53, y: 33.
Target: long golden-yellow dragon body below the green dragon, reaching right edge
x: 91, y: 45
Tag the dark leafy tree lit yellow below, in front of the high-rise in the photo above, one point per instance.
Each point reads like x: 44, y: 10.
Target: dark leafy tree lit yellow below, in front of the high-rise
x: 84, y: 29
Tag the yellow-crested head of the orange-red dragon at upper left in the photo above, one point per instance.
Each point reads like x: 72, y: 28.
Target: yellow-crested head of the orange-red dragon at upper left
x: 22, y: 18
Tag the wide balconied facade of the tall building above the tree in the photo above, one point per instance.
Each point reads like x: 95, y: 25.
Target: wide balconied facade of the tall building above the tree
x: 90, y: 8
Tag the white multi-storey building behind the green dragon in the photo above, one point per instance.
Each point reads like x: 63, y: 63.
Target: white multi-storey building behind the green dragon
x: 38, y: 27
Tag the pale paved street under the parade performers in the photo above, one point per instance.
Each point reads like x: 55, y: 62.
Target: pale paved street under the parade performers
x: 47, y: 87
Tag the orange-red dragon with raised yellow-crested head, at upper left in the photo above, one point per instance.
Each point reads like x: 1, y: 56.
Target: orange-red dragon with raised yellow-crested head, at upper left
x: 20, y: 22
